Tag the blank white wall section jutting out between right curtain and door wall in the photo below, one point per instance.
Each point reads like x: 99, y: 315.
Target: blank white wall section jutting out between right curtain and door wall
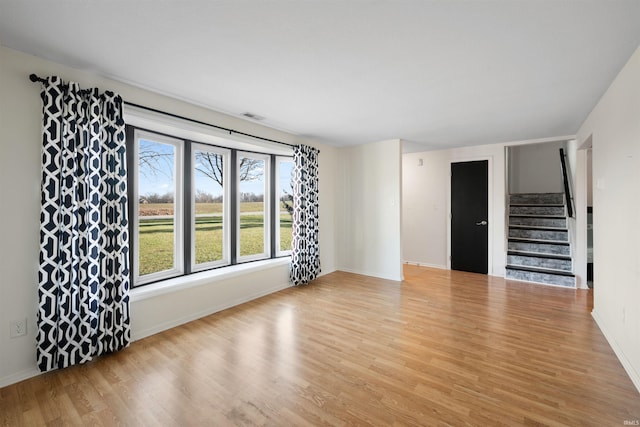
x: 371, y: 197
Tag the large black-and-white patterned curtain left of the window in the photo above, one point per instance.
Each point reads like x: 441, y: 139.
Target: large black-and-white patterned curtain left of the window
x: 84, y: 242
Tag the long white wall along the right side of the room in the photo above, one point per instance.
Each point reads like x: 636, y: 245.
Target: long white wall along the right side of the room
x: 614, y: 127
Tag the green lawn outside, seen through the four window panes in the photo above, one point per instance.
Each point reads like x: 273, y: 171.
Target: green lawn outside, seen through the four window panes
x: 156, y: 238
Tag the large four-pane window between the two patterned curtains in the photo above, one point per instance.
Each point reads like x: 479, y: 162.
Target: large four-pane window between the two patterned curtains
x: 202, y: 205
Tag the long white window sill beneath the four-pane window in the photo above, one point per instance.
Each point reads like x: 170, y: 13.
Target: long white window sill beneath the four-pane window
x: 202, y: 278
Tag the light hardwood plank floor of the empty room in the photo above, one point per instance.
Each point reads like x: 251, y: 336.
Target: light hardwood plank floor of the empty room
x: 440, y: 348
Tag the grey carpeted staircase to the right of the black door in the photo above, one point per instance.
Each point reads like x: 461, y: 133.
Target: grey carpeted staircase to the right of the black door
x: 538, y: 240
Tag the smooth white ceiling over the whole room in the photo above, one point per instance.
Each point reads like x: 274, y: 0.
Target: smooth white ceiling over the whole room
x: 437, y: 74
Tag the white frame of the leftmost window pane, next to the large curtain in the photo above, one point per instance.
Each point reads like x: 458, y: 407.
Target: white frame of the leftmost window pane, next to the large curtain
x: 178, y: 207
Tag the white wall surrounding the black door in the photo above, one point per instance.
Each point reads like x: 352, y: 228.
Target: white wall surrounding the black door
x: 426, y: 205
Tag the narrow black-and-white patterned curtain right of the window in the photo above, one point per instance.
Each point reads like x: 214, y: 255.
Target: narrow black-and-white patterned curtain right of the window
x: 305, y: 257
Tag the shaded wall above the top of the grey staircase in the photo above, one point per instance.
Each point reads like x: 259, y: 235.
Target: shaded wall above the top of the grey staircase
x: 536, y: 168
